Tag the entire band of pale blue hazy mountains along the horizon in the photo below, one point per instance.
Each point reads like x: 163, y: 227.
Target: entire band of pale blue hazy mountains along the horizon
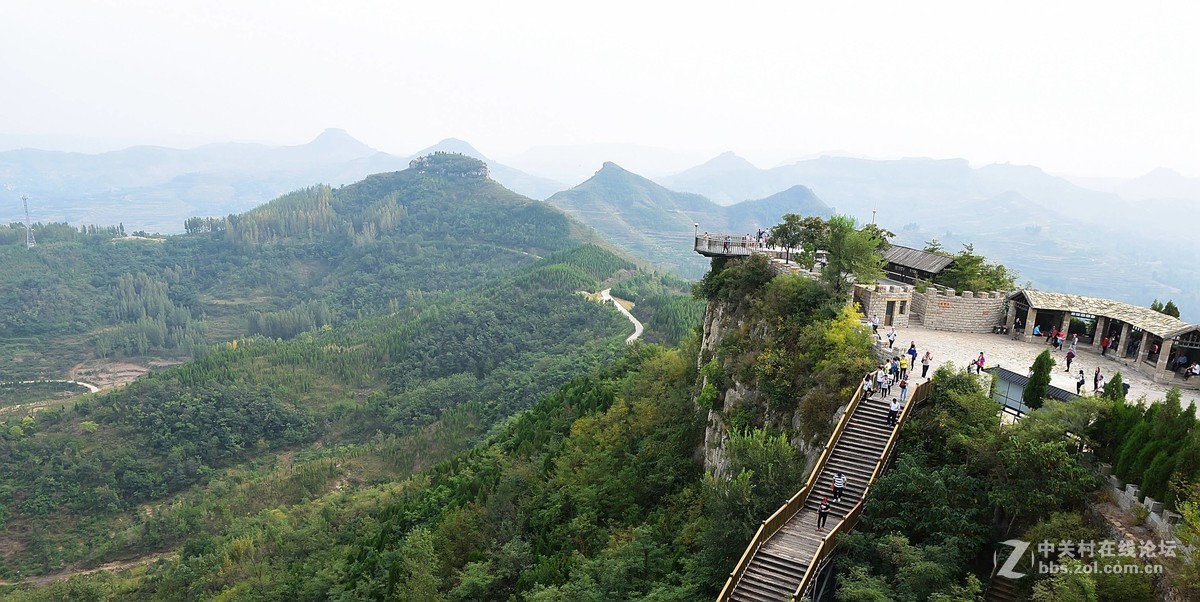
x: 1097, y: 237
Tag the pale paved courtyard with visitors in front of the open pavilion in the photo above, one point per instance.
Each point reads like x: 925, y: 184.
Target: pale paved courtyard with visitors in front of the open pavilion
x: 961, y: 348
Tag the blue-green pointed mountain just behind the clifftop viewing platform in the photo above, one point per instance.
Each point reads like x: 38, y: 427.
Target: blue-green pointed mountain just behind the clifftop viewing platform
x: 658, y: 224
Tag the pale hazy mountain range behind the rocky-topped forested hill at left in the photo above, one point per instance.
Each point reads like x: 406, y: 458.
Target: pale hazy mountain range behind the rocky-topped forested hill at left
x: 155, y: 189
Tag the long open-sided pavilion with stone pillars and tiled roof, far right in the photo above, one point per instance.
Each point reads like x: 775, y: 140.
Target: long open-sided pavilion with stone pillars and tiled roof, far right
x: 1149, y: 329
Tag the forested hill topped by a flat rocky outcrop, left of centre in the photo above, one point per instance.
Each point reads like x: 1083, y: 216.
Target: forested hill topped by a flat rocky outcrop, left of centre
x: 311, y: 258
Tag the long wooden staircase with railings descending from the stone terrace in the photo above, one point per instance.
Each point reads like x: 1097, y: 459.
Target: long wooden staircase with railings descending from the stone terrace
x: 776, y: 567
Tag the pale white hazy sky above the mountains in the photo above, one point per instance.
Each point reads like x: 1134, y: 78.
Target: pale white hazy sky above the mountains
x: 1083, y: 88
